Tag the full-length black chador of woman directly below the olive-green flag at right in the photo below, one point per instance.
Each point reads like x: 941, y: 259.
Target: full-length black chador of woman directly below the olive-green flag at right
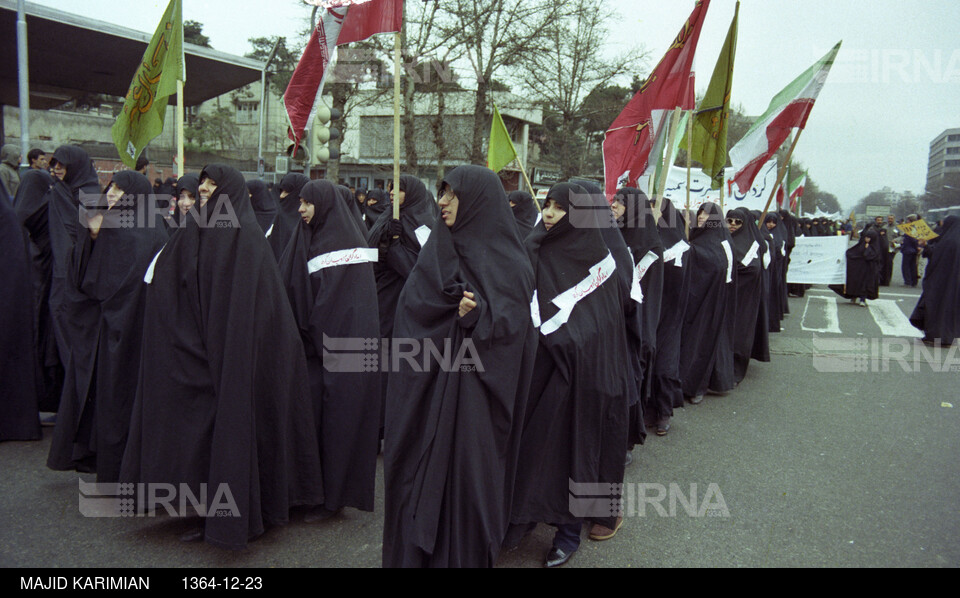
x: 708, y: 328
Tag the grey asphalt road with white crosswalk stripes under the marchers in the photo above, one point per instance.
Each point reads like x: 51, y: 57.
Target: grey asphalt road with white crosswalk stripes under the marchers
x: 823, y: 457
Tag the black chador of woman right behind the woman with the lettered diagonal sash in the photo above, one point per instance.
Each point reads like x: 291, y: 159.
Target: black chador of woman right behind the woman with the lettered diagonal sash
x: 640, y: 233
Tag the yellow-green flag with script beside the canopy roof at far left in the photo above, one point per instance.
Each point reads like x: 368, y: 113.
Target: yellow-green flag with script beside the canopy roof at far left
x: 155, y: 80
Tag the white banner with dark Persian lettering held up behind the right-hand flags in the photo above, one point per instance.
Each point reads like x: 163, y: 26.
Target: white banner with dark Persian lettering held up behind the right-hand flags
x: 700, y: 191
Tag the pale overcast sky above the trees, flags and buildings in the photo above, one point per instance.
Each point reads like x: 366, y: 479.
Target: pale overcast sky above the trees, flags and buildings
x: 895, y: 86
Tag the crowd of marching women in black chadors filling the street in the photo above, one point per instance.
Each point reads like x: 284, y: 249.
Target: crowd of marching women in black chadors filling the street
x: 188, y: 335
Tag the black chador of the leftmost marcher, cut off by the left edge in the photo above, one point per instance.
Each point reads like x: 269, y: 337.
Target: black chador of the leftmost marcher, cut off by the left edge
x: 18, y: 359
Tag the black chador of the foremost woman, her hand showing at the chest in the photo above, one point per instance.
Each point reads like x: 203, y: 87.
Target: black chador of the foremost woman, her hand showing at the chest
x: 452, y: 437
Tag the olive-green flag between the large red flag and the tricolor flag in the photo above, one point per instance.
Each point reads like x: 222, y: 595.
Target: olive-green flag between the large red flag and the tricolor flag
x: 710, y: 123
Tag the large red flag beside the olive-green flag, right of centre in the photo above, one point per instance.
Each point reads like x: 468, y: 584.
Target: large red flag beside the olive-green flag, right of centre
x: 628, y: 141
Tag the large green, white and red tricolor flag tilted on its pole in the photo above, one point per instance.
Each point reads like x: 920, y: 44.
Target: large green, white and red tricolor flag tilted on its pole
x: 789, y: 109
